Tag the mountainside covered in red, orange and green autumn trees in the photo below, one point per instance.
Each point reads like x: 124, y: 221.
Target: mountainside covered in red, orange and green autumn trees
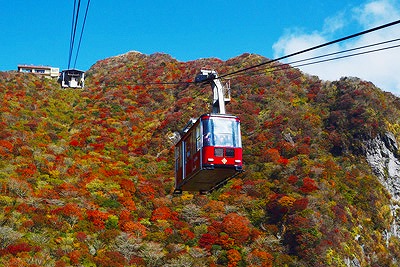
x: 86, y: 176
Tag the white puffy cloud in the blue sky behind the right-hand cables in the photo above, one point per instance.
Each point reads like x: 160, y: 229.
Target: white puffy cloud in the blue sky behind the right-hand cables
x: 381, y: 68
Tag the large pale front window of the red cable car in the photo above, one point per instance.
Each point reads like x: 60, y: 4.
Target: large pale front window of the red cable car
x: 221, y: 132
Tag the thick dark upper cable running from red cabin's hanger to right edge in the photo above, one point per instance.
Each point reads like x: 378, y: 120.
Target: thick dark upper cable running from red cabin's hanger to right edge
x: 314, y: 48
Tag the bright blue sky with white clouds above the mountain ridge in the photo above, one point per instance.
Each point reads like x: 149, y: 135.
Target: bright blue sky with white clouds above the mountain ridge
x: 38, y: 32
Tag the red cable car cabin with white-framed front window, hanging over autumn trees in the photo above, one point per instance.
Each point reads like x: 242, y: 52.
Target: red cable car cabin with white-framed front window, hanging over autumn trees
x: 208, y: 154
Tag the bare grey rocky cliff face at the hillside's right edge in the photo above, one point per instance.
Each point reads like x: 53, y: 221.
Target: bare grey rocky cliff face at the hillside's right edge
x: 382, y: 156
